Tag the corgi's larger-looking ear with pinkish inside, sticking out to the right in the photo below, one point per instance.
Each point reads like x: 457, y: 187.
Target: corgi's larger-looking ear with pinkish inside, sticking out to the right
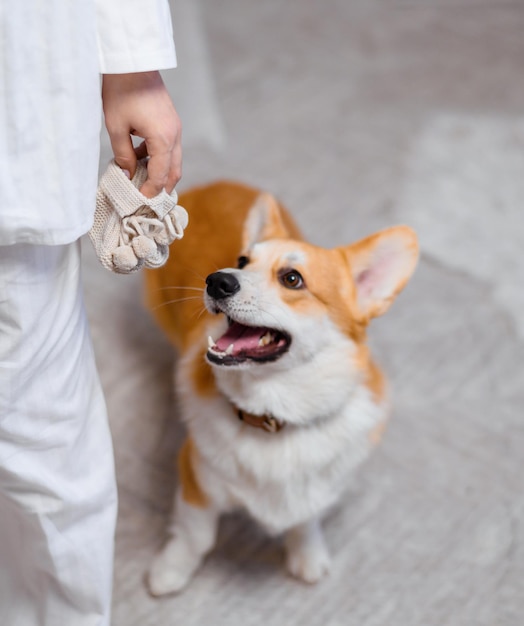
x: 381, y: 265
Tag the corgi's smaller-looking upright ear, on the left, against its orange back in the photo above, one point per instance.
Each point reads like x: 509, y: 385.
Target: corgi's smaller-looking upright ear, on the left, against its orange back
x: 264, y: 221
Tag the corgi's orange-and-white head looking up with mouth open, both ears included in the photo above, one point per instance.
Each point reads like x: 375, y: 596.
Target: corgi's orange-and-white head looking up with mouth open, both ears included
x: 288, y: 301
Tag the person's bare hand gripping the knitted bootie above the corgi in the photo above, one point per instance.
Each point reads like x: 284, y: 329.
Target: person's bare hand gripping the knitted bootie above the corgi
x: 139, y: 104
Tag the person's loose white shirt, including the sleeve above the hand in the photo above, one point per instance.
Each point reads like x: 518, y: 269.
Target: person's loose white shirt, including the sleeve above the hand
x: 52, y: 53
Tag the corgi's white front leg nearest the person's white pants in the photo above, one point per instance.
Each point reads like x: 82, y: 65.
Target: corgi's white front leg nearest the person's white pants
x: 193, y: 534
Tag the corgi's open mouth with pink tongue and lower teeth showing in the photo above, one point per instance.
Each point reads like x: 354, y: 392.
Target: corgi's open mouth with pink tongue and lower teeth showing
x: 241, y: 343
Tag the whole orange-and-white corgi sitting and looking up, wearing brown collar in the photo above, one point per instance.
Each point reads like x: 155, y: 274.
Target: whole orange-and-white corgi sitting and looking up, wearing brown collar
x: 275, y: 382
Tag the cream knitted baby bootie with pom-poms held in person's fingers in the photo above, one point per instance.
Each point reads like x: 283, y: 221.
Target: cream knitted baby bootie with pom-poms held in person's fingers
x: 131, y: 231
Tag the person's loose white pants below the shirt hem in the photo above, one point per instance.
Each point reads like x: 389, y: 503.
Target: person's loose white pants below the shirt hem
x: 57, y: 484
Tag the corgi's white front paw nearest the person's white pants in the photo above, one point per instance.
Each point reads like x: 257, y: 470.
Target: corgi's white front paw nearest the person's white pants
x: 173, y: 568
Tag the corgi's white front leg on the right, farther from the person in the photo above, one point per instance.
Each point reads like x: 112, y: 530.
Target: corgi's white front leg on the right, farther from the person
x: 307, y: 555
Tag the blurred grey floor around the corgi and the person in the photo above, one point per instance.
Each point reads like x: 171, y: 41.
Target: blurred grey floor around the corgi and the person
x: 357, y: 114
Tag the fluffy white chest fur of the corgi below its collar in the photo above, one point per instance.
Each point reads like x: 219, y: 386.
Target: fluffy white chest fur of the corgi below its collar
x: 284, y: 478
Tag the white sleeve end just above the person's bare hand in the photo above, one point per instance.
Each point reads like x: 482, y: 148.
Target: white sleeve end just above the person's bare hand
x: 134, y: 36
